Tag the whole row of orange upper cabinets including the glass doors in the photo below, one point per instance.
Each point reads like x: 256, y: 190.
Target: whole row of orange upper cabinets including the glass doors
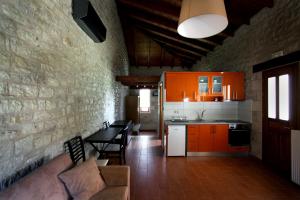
x: 204, y: 86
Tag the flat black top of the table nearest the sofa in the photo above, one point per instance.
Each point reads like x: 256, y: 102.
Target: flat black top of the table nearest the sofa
x: 104, y: 135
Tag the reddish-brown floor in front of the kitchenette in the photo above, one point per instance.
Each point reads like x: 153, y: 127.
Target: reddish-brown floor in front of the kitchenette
x: 154, y: 176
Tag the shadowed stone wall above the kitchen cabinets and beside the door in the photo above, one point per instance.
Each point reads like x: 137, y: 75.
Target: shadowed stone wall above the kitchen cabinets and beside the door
x: 271, y: 30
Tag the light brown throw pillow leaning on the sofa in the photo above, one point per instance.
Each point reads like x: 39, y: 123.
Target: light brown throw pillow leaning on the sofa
x: 84, y: 180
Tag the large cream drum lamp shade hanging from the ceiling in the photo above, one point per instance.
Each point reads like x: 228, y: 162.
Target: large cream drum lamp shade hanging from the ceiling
x: 202, y: 18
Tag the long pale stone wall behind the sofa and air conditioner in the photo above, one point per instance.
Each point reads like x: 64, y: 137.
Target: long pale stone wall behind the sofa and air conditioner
x: 55, y: 82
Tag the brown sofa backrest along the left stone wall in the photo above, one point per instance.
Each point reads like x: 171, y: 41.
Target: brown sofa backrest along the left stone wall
x: 42, y: 183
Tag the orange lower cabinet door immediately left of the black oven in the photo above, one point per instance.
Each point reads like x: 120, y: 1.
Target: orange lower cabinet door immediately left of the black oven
x: 220, y: 138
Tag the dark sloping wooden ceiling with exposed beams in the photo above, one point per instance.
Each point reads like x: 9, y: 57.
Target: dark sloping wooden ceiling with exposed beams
x: 150, y: 28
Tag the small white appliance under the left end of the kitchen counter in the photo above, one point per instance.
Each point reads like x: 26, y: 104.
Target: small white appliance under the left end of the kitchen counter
x: 176, y: 141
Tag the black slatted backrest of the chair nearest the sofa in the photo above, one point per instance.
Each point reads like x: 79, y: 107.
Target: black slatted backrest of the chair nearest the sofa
x: 75, y: 148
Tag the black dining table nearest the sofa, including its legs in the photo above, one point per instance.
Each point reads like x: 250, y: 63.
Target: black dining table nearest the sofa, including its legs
x: 102, y: 138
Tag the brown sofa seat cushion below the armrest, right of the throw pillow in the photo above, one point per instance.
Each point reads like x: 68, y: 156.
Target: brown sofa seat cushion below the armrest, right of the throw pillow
x: 112, y: 193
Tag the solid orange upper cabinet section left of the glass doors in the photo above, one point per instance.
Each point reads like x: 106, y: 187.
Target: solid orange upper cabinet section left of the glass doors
x: 180, y: 85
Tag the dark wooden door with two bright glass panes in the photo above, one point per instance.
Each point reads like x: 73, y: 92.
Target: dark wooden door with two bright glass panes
x: 279, y: 116
